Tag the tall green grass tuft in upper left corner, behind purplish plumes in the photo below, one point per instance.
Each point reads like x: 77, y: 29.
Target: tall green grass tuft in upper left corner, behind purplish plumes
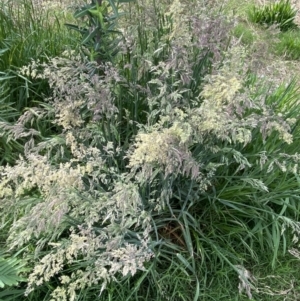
x: 29, y: 31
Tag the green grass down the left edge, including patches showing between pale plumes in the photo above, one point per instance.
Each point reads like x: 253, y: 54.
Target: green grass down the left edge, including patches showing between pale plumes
x: 28, y: 31
